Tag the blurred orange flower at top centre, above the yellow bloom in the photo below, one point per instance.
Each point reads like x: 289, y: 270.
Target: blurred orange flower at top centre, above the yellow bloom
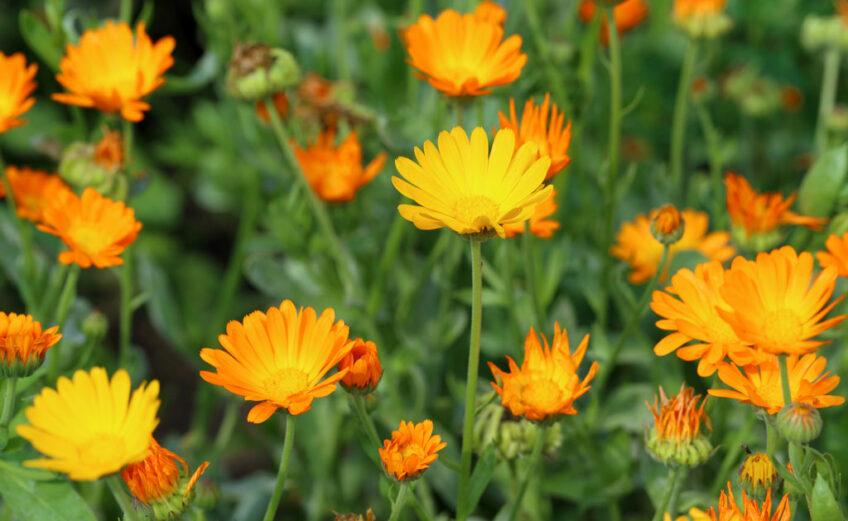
x: 463, y: 55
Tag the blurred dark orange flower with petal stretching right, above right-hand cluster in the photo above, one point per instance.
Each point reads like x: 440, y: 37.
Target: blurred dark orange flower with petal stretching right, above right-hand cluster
x: 761, y: 213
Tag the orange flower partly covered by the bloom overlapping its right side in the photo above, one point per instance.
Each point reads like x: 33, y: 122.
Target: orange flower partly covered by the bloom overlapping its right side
x: 689, y: 310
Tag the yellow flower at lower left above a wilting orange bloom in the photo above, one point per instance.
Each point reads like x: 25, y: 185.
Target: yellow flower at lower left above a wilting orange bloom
x: 90, y: 426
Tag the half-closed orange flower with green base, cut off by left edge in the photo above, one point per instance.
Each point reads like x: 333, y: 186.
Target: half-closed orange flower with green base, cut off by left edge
x: 23, y: 344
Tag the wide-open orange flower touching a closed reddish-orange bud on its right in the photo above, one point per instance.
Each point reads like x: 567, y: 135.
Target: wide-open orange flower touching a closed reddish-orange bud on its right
x: 279, y: 358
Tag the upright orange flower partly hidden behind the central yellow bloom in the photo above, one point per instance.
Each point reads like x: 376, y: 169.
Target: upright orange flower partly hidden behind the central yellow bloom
x: 552, y: 141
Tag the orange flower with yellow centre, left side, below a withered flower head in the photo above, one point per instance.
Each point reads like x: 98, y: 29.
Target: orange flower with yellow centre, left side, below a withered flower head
x: 95, y: 228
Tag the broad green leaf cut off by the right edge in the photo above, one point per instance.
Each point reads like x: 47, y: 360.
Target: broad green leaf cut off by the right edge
x: 820, y: 187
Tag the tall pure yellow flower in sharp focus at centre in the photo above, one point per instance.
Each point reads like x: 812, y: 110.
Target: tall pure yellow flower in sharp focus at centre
x: 462, y: 186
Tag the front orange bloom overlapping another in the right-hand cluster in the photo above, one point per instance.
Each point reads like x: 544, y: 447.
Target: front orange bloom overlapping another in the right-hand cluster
x: 773, y: 305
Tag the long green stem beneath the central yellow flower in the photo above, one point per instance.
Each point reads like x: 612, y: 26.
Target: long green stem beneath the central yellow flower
x: 471, y: 383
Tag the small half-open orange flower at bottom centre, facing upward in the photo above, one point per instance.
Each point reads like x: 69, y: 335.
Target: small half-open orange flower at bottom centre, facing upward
x: 411, y: 450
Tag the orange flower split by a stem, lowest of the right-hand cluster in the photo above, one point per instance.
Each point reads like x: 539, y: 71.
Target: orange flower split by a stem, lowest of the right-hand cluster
x: 760, y: 385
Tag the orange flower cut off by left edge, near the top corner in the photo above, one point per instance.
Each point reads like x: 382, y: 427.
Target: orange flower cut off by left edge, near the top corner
x: 16, y: 83
